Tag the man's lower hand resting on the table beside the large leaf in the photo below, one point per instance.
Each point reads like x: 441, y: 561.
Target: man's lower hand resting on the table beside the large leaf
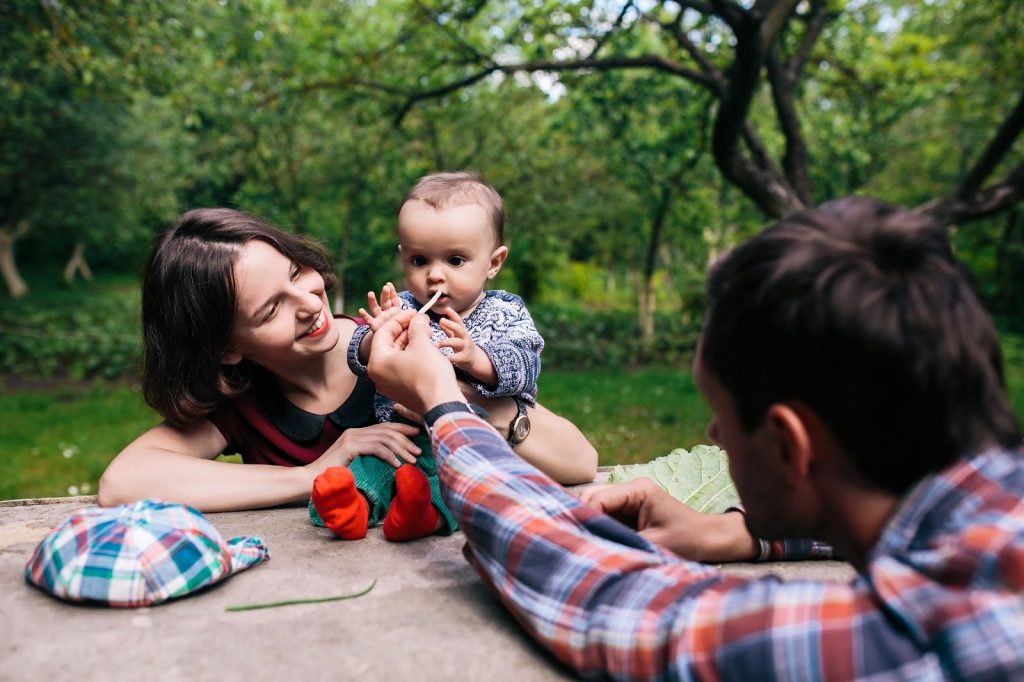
x: 644, y: 505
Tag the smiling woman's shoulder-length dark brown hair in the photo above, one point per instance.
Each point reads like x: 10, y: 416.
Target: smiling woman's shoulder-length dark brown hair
x: 189, y: 300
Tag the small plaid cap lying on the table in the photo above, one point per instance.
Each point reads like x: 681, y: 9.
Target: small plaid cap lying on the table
x: 136, y: 556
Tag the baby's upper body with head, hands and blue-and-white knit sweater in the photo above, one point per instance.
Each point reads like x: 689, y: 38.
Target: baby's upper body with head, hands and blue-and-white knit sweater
x: 451, y: 241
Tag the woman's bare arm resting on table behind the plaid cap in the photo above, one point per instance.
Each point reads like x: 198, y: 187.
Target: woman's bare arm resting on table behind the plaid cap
x: 179, y: 466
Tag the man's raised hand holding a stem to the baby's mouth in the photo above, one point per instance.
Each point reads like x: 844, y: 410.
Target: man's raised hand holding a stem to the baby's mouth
x: 406, y: 366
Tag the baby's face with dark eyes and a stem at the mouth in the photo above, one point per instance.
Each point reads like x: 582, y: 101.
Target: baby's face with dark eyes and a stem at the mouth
x: 452, y: 249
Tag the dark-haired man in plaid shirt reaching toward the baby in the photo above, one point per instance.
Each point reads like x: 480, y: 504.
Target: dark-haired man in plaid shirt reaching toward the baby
x: 857, y: 383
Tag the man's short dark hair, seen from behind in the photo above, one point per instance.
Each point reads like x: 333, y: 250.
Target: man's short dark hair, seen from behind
x: 860, y: 311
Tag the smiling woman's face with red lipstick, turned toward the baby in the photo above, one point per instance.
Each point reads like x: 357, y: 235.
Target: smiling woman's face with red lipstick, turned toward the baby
x: 282, y: 314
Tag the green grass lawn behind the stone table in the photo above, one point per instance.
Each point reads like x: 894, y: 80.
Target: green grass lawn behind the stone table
x: 58, y: 443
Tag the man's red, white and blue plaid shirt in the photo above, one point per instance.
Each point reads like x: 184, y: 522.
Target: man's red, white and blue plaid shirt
x: 943, y: 595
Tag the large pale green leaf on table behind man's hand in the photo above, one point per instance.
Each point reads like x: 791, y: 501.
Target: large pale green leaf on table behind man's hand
x: 699, y: 479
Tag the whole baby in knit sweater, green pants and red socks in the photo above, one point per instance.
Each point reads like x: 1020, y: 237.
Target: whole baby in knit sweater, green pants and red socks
x: 451, y: 241
